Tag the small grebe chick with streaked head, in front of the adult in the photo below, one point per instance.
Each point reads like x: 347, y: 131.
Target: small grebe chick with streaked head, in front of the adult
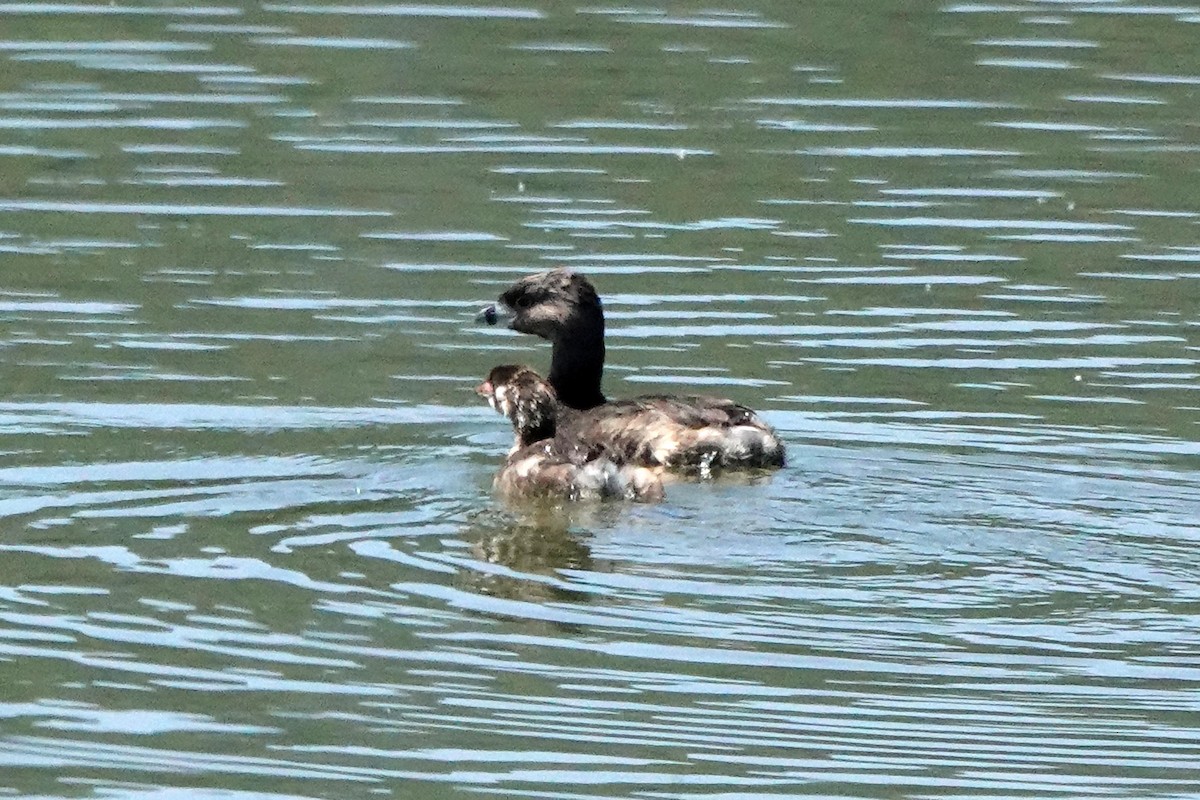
x: 539, y: 465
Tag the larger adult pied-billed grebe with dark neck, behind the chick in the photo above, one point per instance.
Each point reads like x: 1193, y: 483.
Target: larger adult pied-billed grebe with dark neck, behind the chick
x: 657, y: 430
